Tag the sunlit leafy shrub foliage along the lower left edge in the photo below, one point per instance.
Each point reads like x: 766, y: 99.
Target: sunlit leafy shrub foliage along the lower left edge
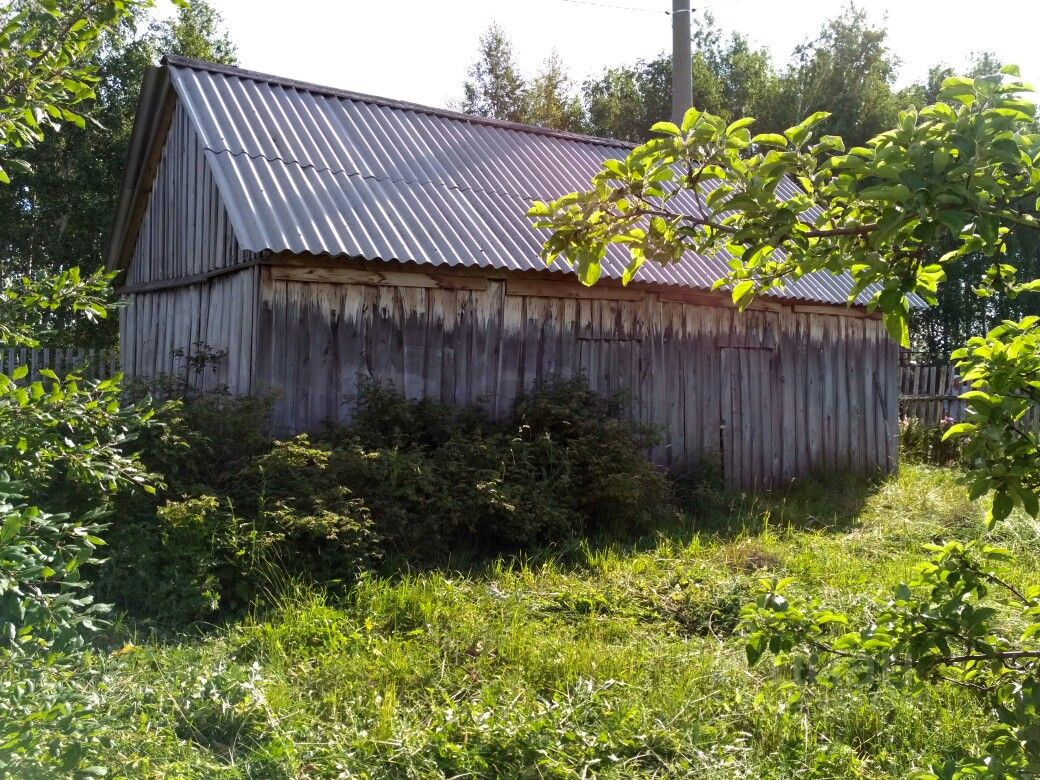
x: 64, y: 443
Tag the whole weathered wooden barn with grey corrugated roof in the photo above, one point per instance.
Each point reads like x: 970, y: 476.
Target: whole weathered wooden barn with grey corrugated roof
x: 317, y: 239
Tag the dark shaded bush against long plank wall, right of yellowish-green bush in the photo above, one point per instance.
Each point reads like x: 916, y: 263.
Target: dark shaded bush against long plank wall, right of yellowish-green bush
x: 564, y: 466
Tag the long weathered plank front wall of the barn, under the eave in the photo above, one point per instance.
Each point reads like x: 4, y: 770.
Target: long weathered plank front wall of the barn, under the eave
x: 774, y: 395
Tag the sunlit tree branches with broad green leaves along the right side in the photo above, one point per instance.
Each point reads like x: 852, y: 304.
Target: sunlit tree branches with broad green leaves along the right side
x: 947, y: 184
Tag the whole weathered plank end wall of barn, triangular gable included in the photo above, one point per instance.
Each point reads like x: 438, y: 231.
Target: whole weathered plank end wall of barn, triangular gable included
x: 174, y: 311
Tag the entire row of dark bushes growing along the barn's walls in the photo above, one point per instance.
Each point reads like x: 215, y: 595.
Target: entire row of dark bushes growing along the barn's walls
x: 419, y: 481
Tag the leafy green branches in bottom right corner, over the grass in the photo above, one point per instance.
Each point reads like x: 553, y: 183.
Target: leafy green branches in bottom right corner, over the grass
x: 948, y: 625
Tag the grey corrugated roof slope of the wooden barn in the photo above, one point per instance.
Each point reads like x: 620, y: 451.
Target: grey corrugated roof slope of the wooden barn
x: 313, y: 170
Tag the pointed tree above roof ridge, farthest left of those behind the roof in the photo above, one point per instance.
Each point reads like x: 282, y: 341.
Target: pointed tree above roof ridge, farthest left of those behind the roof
x: 496, y: 88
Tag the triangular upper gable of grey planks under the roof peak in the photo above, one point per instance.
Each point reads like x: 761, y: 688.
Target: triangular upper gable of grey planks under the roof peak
x: 185, y: 230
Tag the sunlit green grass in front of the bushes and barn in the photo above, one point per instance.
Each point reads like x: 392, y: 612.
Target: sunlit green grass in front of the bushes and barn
x: 601, y: 661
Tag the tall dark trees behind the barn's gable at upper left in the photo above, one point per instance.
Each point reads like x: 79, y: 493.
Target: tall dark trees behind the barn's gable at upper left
x: 58, y: 215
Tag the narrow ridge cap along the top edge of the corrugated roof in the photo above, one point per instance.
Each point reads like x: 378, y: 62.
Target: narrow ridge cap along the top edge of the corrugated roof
x: 202, y: 65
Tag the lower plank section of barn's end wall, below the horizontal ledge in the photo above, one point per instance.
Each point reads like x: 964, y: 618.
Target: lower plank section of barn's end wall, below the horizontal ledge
x: 161, y: 330
